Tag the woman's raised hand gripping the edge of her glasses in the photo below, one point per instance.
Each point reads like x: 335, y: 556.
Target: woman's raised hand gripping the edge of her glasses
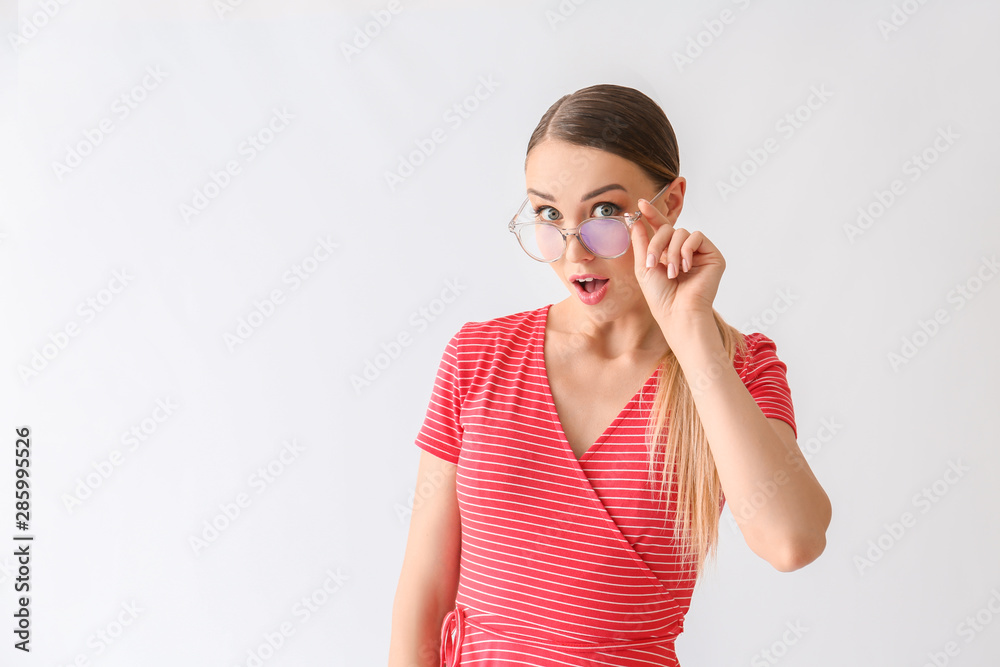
x: 683, y: 293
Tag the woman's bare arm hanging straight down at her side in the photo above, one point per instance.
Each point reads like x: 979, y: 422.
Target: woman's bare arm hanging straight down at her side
x: 428, y: 582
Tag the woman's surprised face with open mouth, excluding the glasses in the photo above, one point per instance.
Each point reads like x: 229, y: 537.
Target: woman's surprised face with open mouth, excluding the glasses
x: 567, y: 184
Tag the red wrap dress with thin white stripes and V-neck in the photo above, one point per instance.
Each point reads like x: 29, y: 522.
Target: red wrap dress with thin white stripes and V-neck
x: 564, y: 561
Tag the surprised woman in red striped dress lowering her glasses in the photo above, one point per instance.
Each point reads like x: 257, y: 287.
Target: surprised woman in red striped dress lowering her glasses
x: 577, y: 456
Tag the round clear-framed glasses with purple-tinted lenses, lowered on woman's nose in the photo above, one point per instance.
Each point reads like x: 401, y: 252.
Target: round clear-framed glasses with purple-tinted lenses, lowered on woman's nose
x: 605, y: 236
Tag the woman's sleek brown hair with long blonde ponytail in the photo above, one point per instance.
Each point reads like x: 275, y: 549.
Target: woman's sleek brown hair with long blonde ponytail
x: 627, y: 123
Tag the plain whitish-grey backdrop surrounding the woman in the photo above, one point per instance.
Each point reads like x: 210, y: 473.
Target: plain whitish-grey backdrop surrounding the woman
x: 340, y: 505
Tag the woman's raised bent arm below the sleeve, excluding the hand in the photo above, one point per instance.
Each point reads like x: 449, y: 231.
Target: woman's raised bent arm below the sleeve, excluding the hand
x: 757, y: 458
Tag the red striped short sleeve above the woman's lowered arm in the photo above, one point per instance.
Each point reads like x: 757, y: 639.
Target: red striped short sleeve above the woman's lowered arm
x: 441, y: 432
